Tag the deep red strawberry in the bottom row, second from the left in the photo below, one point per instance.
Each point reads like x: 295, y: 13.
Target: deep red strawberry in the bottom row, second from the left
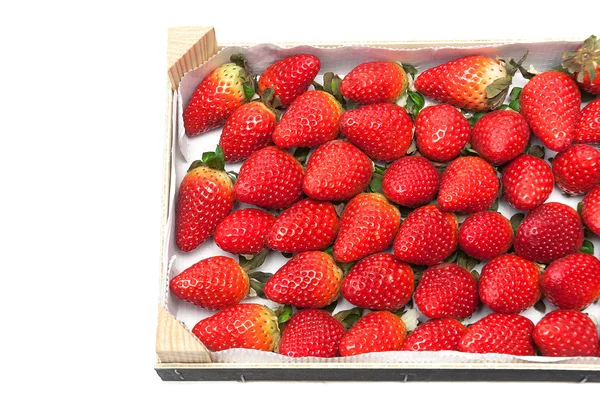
x: 312, y: 333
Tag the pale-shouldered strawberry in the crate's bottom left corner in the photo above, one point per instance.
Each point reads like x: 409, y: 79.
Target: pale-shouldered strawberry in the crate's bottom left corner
x: 245, y: 326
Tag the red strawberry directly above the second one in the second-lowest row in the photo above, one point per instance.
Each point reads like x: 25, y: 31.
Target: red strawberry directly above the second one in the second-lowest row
x: 307, y: 225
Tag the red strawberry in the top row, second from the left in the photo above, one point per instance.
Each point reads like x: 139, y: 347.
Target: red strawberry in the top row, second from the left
x: 290, y: 77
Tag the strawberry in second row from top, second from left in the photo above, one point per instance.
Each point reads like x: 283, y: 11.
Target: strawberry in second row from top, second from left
x: 311, y: 120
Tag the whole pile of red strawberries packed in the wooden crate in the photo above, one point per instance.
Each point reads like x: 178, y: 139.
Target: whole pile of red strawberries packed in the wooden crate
x: 387, y: 202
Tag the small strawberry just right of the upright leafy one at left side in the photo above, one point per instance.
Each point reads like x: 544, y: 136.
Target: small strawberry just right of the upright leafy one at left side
x: 244, y: 231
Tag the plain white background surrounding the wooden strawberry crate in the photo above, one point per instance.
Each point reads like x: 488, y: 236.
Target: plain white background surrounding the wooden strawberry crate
x: 82, y: 88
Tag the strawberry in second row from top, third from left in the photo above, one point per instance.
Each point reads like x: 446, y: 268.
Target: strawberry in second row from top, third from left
x: 383, y: 131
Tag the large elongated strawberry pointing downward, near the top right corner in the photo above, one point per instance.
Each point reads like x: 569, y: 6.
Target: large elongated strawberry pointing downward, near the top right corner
x: 550, y: 103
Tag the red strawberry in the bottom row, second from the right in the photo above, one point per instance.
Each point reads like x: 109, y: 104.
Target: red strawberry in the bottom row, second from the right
x: 499, y: 333
